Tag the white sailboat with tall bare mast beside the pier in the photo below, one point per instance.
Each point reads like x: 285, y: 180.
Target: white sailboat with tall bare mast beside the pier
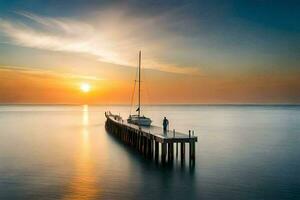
x: 138, y: 119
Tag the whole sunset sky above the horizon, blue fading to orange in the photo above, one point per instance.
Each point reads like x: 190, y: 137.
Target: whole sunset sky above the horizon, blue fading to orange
x: 193, y: 52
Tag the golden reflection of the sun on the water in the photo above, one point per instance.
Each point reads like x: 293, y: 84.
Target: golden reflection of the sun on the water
x: 83, y: 184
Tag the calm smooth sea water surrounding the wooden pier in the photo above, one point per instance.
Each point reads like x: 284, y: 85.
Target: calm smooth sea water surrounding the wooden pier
x: 64, y: 152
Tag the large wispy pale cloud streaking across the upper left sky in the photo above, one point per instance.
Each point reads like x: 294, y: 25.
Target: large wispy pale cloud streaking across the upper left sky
x: 112, y: 37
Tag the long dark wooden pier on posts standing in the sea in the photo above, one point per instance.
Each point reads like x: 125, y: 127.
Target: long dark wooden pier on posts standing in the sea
x: 152, y: 141
